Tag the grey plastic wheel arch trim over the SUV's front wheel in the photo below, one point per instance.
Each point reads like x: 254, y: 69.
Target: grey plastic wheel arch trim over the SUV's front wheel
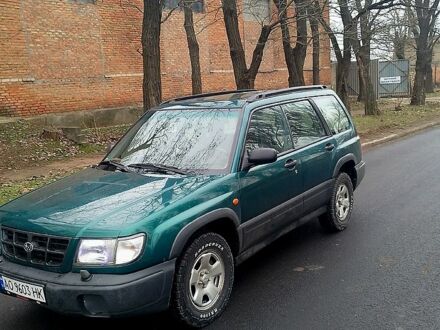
x: 224, y: 222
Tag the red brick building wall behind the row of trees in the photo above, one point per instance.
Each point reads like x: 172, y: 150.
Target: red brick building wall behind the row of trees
x: 69, y: 55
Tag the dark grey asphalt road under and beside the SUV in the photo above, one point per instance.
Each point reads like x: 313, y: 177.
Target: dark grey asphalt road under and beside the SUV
x: 383, y: 272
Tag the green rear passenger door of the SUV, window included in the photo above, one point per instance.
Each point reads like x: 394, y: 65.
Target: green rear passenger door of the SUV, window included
x: 315, y: 145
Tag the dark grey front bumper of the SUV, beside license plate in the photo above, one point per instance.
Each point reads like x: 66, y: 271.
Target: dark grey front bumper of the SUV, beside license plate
x: 104, y: 295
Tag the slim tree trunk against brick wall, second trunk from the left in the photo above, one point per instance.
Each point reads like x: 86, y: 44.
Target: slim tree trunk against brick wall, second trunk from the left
x: 193, y: 47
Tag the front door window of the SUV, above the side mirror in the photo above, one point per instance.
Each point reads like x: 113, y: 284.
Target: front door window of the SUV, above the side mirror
x: 268, y: 129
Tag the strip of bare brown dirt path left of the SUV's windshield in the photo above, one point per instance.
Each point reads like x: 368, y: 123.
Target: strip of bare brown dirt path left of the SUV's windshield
x: 56, y: 167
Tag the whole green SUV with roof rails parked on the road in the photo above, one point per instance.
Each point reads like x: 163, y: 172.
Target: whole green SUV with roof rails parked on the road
x: 195, y: 187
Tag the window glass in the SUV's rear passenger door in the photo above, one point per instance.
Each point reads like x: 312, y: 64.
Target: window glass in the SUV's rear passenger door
x: 305, y: 125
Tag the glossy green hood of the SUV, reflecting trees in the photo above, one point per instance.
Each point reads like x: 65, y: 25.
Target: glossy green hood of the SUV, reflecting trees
x: 97, y: 202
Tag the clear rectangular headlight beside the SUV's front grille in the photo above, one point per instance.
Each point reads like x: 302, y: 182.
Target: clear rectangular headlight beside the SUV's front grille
x: 110, y: 251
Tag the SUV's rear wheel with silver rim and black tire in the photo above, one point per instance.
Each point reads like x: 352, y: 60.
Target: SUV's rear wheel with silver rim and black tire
x: 340, y: 206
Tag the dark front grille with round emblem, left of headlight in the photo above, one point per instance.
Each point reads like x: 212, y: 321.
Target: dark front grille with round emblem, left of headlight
x: 45, y: 250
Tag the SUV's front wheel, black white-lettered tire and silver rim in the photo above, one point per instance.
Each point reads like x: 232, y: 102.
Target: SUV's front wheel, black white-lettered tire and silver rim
x: 200, y: 297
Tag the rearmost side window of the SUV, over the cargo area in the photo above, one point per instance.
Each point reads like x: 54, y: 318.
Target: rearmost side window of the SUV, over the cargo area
x: 333, y: 113
